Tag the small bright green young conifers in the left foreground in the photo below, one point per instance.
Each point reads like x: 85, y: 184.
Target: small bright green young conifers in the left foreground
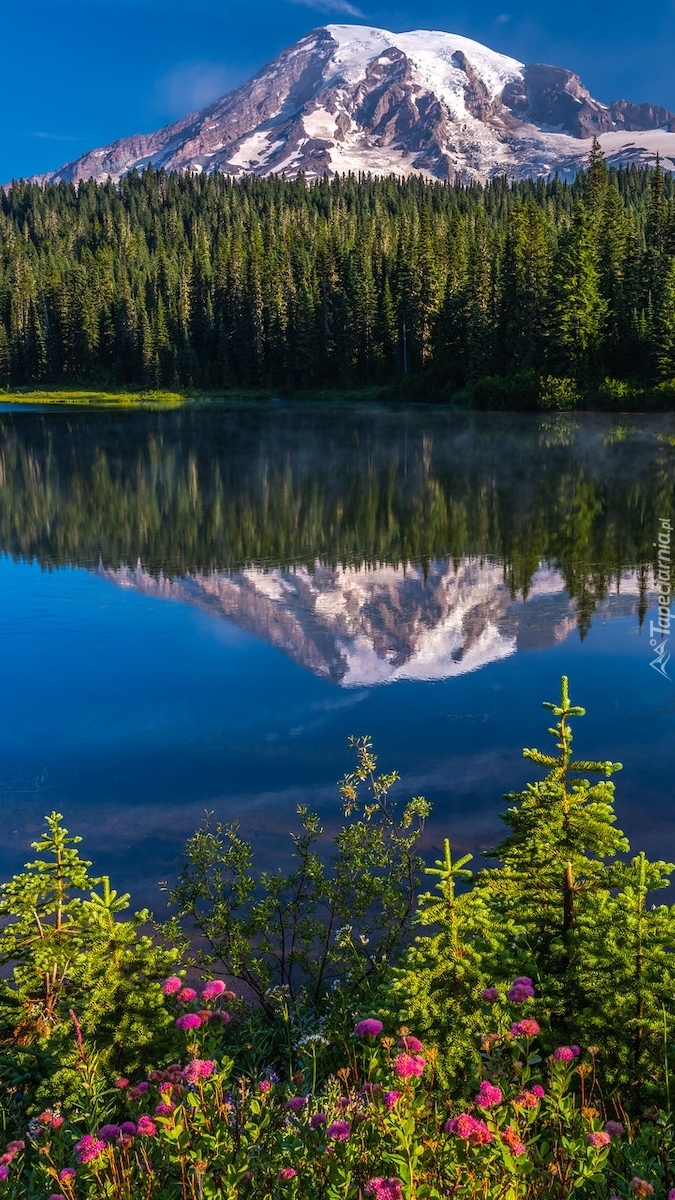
x: 75, y: 965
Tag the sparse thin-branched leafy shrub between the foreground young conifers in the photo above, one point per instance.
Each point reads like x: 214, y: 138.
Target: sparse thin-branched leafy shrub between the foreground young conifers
x: 325, y: 928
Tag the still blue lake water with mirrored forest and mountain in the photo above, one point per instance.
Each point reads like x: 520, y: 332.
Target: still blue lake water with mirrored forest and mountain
x: 199, y: 608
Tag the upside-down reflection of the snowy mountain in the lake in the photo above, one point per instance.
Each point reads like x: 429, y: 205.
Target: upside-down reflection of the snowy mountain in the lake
x: 366, y: 626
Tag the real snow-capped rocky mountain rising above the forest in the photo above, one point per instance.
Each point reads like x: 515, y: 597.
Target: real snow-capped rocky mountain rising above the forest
x: 351, y: 98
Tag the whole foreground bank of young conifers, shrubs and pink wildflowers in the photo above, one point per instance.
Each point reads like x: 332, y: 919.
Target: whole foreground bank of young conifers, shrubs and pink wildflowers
x: 342, y: 1033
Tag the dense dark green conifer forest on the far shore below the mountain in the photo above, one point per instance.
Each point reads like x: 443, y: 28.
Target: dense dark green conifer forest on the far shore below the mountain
x: 202, y: 281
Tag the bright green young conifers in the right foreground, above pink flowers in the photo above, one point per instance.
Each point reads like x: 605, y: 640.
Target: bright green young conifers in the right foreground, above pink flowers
x: 565, y: 909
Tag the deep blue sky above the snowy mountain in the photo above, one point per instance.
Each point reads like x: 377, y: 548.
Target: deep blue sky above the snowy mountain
x: 80, y: 74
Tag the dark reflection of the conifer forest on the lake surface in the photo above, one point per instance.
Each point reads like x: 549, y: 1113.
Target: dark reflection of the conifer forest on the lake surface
x: 201, y: 490
